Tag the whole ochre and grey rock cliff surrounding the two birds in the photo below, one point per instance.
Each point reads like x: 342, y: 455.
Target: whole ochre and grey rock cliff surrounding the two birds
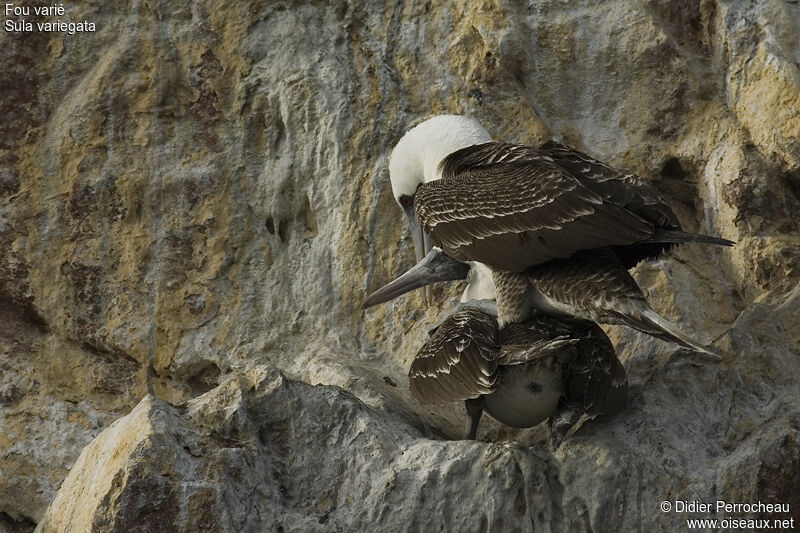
x: 192, y: 191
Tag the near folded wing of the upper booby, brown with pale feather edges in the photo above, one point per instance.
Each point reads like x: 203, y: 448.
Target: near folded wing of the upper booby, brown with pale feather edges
x: 512, y: 207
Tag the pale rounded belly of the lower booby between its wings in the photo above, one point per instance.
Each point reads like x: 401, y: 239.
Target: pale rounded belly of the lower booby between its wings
x: 526, y: 394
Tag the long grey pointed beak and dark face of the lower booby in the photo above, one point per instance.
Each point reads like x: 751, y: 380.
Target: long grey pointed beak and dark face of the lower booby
x: 434, y: 267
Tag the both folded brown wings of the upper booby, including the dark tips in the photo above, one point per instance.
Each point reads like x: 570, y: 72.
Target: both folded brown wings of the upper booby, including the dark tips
x: 513, y: 206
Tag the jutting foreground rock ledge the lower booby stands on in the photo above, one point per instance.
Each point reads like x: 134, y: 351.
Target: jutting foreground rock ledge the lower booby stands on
x: 261, y: 452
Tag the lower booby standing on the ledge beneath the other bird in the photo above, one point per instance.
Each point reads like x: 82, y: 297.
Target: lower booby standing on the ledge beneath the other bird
x: 541, y: 368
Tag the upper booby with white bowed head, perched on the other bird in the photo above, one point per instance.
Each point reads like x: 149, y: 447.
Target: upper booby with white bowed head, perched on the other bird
x: 558, y: 228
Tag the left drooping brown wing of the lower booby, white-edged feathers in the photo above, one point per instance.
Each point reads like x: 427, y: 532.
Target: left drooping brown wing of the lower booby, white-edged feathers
x: 459, y: 361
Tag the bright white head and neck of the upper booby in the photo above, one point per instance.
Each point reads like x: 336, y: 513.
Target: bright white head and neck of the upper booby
x: 416, y: 157
